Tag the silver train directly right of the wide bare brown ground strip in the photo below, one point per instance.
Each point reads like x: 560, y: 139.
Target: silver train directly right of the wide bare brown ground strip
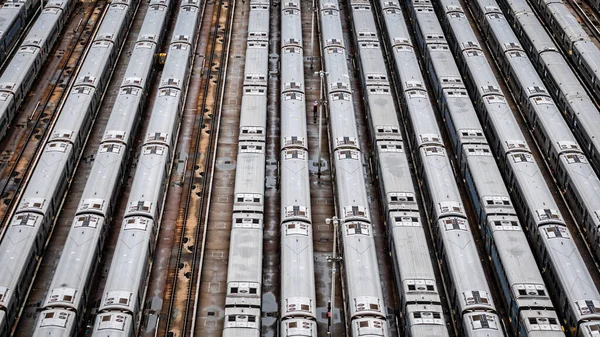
x: 244, y: 272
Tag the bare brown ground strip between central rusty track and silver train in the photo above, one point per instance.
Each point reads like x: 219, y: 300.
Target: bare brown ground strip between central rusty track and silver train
x: 213, y: 275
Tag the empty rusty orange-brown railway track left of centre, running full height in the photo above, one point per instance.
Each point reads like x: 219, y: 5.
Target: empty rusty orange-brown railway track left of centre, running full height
x: 192, y: 222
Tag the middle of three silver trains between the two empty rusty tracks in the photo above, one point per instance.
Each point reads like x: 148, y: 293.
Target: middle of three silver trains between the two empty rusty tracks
x: 65, y: 304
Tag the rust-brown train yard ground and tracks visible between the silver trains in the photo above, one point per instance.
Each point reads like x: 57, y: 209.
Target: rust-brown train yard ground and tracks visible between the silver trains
x: 186, y: 289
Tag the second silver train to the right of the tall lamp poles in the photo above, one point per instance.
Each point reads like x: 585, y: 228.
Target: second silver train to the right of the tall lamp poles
x: 416, y: 283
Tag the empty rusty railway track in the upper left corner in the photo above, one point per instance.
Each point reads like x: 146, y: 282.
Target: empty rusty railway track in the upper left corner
x: 16, y: 169
